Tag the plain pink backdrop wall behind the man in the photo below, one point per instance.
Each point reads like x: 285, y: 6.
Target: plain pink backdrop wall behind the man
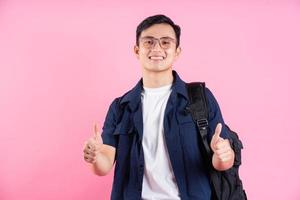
x: 63, y: 62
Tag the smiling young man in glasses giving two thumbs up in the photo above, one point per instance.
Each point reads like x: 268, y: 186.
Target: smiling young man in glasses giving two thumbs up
x: 148, y: 133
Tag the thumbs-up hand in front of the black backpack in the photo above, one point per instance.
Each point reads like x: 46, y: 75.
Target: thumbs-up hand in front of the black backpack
x: 221, y: 147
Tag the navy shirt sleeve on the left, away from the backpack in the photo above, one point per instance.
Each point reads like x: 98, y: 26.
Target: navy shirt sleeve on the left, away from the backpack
x: 109, y: 125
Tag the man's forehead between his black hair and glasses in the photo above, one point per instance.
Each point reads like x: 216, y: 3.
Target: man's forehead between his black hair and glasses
x: 158, y: 31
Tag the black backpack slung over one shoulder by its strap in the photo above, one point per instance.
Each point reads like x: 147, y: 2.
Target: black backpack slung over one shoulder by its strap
x: 226, y: 185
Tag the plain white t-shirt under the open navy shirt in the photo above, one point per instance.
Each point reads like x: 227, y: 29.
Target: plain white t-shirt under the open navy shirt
x: 159, y: 181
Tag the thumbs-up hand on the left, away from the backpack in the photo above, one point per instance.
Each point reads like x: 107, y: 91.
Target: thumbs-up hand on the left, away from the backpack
x: 92, y: 146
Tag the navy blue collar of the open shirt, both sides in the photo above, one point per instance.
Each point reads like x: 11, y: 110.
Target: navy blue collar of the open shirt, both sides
x: 133, y: 97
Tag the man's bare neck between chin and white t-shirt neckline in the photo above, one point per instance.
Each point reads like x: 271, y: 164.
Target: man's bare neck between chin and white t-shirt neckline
x: 157, y: 79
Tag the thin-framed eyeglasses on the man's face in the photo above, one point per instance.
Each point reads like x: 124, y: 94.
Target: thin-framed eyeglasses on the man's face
x: 150, y: 42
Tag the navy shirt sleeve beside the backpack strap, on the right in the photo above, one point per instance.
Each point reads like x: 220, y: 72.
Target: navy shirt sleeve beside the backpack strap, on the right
x: 215, y: 116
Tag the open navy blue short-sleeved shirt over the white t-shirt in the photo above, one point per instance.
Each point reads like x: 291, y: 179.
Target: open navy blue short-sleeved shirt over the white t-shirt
x: 123, y: 129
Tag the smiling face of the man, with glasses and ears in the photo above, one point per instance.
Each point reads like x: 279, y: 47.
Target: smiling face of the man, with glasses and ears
x: 157, y: 48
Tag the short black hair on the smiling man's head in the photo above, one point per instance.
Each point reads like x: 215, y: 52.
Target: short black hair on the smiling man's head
x: 157, y: 19
